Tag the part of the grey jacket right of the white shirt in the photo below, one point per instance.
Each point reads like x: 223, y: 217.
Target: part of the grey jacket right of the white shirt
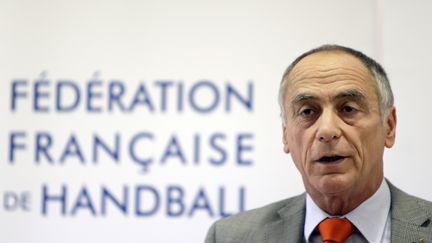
x: 411, y: 221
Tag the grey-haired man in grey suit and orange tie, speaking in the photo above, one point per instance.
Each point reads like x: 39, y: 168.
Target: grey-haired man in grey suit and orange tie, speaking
x: 338, y: 115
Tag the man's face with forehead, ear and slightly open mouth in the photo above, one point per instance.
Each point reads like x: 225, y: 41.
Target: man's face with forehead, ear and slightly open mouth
x: 333, y: 128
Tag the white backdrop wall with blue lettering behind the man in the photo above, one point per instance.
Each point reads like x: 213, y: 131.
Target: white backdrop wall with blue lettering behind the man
x: 209, y: 44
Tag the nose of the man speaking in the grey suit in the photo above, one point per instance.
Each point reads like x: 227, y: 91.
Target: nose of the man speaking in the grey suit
x: 328, y: 127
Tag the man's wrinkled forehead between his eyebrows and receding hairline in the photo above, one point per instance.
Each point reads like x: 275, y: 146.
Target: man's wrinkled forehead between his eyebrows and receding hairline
x: 330, y: 71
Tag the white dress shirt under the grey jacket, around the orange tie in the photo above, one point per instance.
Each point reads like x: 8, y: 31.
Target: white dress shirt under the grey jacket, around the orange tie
x: 371, y: 219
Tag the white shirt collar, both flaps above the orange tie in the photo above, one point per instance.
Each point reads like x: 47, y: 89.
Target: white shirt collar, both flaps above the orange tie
x: 369, y: 217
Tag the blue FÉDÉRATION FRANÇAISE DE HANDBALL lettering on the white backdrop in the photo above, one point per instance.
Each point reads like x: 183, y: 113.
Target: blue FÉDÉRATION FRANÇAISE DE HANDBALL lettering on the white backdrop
x: 145, y: 149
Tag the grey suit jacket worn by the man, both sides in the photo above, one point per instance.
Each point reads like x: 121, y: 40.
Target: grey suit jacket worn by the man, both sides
x: 284, y: 221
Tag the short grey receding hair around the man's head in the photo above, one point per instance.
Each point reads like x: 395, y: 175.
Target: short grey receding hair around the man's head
x: 382, y: 83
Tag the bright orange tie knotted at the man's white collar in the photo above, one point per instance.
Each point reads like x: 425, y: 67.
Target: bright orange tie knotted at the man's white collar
x: 335, y: 230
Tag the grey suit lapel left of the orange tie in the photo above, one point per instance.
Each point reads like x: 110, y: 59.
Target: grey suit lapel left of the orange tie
x: 289, y: 227
